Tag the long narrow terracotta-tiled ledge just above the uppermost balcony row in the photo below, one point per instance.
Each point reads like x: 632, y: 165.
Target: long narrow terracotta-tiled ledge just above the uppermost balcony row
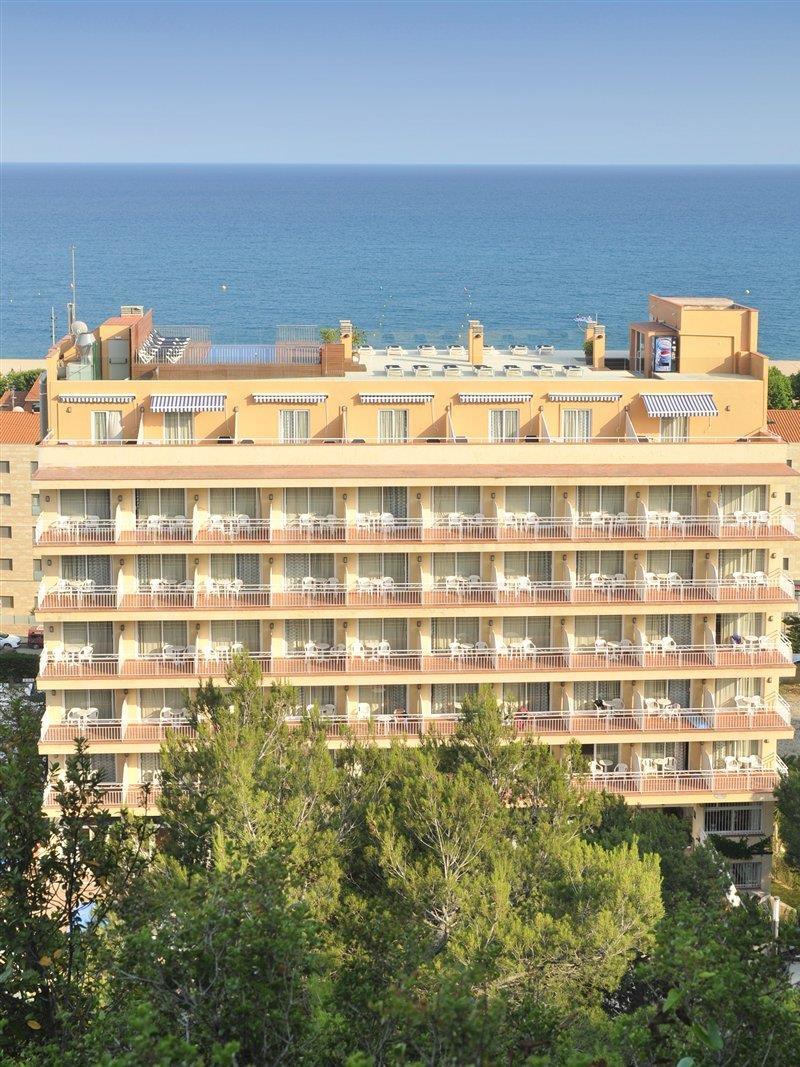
x: 491, y: 472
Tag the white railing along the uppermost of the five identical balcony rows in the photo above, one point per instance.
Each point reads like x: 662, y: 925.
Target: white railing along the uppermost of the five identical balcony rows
x: 444, y: 529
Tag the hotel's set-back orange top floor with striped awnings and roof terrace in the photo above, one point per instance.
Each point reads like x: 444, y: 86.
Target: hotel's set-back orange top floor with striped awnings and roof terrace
x: 692, y: 374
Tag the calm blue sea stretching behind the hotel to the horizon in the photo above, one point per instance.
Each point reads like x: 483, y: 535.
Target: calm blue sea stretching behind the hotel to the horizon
x: 403, y: 251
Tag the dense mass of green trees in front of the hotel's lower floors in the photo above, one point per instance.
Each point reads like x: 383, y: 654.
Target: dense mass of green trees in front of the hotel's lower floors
x: 458, y: 903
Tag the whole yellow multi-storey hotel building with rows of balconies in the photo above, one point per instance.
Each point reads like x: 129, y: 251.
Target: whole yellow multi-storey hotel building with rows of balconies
x: 599, y: 539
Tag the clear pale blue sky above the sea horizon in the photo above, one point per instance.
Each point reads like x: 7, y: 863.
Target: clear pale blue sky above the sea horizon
x: 638, y: 83
